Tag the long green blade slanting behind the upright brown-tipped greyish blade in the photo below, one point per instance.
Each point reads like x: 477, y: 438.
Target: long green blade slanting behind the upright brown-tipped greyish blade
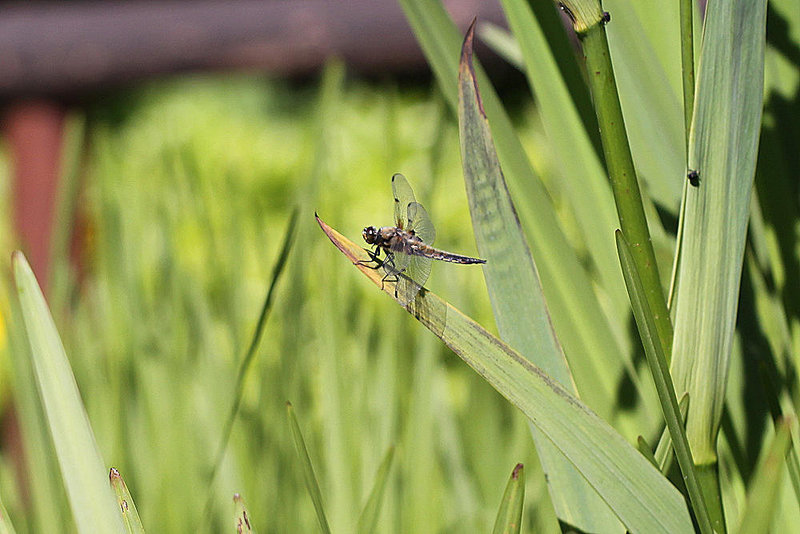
x: 578, y: 318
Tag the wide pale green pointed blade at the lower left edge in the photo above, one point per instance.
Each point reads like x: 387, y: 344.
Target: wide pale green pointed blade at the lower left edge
x: 82, y: 468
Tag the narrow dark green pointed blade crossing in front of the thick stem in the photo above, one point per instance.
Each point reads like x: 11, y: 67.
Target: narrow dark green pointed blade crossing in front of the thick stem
x: 657, y: 361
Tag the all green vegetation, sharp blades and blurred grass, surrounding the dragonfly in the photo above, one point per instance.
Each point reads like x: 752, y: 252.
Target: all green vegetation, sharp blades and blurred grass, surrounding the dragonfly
x: 200, y: 197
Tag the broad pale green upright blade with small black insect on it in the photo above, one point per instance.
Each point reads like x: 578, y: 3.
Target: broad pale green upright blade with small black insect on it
x: 723, y: 149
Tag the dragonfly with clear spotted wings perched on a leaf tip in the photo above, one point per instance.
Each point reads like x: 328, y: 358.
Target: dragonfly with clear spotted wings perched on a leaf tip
x: 407, y: 246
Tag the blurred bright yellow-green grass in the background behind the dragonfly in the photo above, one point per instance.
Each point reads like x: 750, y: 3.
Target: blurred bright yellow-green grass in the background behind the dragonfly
x: 188, y: 186
